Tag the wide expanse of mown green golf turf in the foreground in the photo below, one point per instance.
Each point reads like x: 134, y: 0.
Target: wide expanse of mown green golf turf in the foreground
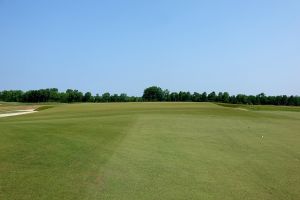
x: 150, y: 151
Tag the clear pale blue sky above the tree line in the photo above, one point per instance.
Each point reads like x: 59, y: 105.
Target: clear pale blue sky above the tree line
x: 124, y: 46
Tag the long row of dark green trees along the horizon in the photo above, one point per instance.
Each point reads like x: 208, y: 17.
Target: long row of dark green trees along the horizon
x: 150, y: 94
